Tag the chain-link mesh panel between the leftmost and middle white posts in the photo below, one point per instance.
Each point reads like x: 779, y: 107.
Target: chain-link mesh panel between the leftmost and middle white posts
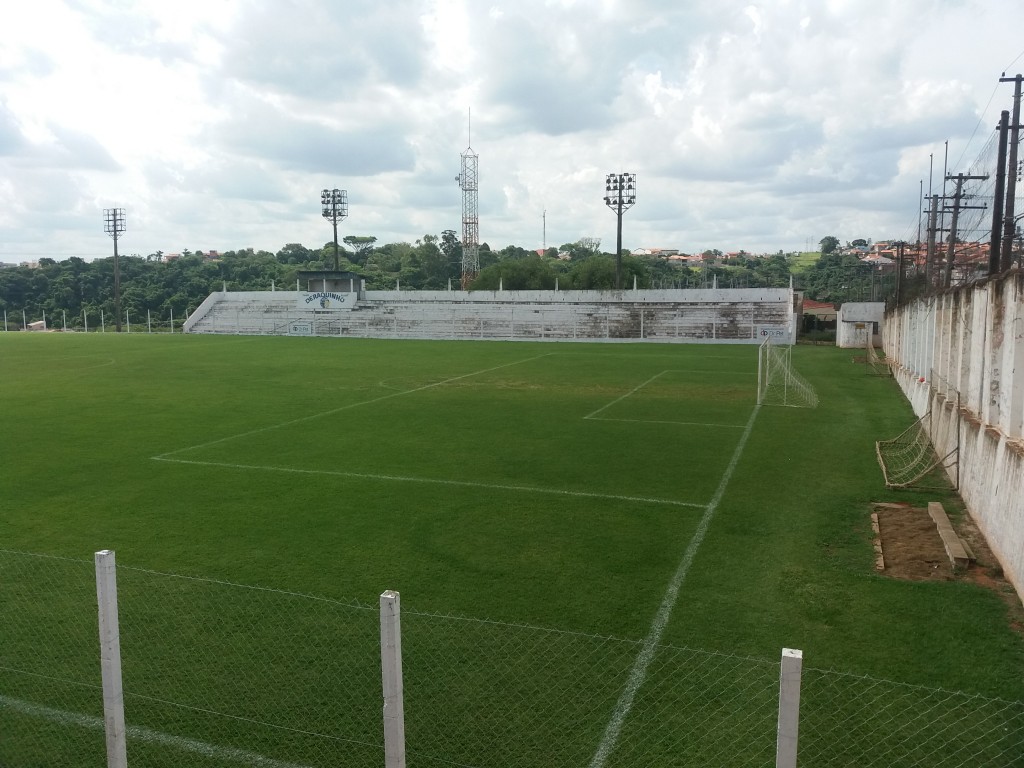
x: 258, y: 673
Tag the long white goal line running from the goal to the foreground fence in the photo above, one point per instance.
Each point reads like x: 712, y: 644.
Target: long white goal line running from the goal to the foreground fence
x: 639, y: 672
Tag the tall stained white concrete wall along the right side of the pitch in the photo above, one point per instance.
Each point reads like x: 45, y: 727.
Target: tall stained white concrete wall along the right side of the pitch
x: 961, y: 356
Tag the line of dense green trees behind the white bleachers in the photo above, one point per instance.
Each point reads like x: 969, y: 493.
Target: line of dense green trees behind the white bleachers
x: 161, y: 287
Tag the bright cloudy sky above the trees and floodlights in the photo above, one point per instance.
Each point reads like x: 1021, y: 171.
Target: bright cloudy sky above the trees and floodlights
x: 757, y: 125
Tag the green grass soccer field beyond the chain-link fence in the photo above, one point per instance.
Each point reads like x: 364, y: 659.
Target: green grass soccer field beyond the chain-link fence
x: 626, y: 491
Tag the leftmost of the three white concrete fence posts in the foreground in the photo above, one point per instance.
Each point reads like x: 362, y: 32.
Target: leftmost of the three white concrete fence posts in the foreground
x: 110, y: 660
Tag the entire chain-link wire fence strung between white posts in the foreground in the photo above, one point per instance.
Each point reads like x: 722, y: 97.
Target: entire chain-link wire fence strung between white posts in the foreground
x: 219, y: 674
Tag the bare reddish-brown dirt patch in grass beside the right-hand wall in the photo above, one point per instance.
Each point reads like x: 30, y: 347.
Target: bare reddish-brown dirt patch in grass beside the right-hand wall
x: 913, y: 549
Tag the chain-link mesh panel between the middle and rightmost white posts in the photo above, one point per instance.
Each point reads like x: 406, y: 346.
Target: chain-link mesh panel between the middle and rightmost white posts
x: 486, y: 694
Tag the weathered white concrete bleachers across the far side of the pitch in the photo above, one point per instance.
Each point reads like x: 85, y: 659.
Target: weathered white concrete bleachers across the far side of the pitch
x: 713, y: 316
